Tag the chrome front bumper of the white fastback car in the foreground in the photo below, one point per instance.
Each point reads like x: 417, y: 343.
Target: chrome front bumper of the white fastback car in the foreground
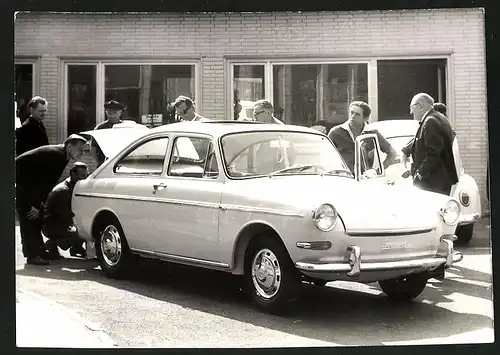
x: 446, y: 256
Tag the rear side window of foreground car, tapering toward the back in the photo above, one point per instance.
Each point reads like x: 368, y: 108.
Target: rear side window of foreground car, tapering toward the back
x: 146, y: 159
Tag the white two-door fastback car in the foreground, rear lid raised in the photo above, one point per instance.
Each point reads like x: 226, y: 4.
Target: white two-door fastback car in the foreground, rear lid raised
x: 273, y: 203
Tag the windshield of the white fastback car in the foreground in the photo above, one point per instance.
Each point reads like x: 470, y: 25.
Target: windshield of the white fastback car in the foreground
x: 252, y: 154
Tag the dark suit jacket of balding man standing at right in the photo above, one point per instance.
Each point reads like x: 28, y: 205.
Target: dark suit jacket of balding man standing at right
x: 432, y: 153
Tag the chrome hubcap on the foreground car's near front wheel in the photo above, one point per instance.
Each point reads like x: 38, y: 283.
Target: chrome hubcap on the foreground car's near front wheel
x: 266, y: 273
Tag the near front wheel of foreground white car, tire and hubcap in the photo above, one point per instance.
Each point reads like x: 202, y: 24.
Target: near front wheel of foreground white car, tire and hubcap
x: 271, y: 278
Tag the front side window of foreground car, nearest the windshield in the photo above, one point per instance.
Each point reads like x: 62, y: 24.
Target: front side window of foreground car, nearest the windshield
x: 193, y: 157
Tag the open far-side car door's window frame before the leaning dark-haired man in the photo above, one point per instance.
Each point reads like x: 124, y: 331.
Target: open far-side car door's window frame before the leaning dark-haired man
x: 367, y: 157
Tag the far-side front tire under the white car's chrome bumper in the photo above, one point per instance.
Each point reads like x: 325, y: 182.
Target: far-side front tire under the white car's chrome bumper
x: 406, y: 288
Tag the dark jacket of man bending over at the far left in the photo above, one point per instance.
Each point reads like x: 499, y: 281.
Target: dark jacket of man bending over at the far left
x: 37, y: 172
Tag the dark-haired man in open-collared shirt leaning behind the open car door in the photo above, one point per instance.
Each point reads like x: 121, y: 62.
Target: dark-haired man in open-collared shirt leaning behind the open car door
x: 344, y: 135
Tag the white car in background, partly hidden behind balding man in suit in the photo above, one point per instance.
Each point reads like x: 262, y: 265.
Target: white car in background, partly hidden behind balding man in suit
x: 400, y: 132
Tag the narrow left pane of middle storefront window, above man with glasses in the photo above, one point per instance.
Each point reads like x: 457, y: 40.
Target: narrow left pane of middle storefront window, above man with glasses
x: 249, y: 87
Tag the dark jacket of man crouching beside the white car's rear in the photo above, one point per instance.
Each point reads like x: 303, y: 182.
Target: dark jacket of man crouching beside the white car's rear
x: 57, y: 211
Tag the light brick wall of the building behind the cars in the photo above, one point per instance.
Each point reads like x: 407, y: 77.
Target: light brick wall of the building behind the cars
x: 213, y: 36
